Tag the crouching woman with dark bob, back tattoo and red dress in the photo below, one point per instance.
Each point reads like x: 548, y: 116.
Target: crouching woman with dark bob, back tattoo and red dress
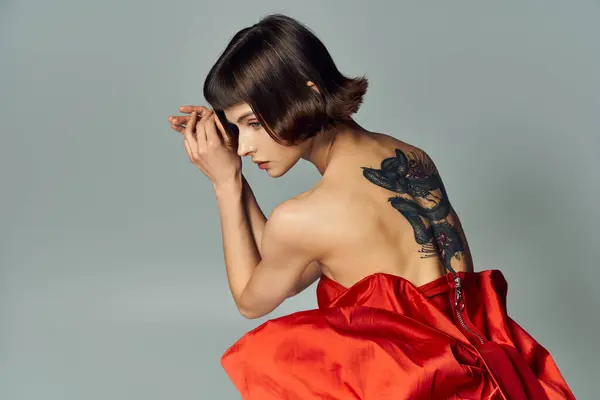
x: 401, y: 312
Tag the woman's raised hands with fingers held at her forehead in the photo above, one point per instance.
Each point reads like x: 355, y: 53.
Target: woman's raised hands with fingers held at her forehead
x: 208, y: 146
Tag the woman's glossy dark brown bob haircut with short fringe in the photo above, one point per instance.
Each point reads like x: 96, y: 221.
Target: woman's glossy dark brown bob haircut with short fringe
x: 268, y: 66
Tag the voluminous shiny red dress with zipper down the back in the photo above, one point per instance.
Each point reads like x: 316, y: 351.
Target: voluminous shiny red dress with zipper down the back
x: 384, y: 338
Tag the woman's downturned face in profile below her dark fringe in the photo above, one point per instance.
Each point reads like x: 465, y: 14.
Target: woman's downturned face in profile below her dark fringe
x: 254, y: 141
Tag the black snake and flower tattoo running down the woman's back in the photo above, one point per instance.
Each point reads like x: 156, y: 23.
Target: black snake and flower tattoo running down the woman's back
x: 428, y: 206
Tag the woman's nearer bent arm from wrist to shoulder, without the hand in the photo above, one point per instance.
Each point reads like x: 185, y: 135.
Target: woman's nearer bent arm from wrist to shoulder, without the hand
x: 258, y: 285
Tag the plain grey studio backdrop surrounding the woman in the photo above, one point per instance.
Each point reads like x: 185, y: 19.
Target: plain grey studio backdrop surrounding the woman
x: 112, y: 280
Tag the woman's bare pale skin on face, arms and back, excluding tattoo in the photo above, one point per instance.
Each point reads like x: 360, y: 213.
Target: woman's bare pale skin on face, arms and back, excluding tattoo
x: 342, y: 228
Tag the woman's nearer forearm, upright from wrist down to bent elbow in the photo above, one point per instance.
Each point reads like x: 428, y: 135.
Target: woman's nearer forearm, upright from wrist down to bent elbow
x: 239, y: 246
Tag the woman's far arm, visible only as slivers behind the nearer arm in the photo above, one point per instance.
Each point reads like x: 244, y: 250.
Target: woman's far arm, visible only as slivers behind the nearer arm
x: 257, y: 221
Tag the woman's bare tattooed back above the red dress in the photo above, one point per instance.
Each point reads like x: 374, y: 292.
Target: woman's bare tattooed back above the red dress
x: 381, y: 207
